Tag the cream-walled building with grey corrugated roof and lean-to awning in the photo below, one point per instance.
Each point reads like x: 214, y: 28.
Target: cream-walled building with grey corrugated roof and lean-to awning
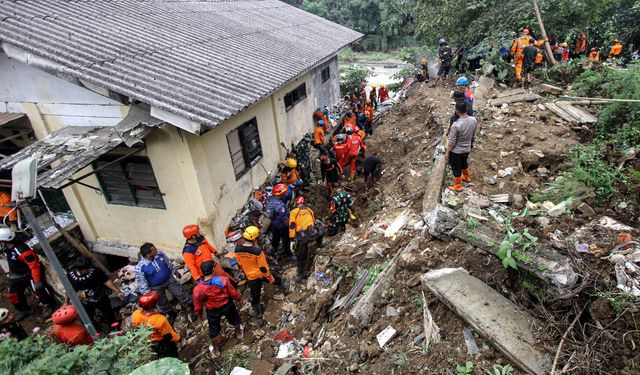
x: 153, y: 115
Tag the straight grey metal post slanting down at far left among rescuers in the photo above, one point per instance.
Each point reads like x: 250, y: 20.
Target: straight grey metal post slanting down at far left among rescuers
x: 57, y: 268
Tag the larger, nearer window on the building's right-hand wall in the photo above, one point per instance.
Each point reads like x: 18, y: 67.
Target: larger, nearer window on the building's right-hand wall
x: 244, y: 147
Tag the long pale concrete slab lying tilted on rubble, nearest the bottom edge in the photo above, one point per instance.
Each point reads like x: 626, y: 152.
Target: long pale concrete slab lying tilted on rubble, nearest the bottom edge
x: 493, y: 316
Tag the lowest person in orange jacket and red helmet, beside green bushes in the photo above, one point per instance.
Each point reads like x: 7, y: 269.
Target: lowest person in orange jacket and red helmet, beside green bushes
x: 163, y: 337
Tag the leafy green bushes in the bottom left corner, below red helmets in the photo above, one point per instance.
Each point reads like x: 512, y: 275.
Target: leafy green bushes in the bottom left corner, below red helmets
x: 112, y: 355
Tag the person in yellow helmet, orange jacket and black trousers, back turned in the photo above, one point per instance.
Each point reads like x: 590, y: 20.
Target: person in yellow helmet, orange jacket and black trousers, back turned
x: 253, y: 263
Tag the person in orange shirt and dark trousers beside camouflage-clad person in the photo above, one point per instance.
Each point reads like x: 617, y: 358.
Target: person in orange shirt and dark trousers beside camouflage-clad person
x: 301, y: 219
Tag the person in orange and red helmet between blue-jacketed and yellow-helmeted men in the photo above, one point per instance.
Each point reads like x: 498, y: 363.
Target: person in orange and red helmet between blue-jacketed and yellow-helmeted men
x: 198, y: 250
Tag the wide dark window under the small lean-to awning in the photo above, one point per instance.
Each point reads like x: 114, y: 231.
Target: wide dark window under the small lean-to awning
x: 129, y: 182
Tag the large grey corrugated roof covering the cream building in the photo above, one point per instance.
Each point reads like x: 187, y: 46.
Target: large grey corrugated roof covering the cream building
x: 204, y: 60
